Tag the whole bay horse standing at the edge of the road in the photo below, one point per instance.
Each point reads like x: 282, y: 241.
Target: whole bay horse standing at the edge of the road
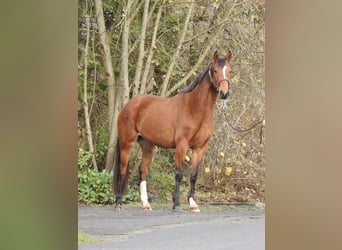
x: 184, y: 121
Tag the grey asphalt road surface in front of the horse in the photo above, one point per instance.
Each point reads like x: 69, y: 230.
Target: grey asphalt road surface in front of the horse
x: 216, y: 227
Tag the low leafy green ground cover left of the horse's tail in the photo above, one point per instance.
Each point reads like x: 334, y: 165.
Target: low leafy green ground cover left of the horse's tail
x: 95, y: 187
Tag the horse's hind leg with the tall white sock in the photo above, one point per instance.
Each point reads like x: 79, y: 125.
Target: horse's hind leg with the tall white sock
x: 147, y: 154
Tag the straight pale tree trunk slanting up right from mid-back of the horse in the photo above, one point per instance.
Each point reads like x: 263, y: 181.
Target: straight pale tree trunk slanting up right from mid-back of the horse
x: 175, y: 55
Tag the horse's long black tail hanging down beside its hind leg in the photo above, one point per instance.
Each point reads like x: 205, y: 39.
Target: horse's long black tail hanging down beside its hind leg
x: 116, y: 176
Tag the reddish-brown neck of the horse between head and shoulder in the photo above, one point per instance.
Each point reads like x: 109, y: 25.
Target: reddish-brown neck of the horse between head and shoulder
x: 203, y: 98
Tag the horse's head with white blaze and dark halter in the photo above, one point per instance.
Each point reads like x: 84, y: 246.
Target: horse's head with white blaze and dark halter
x: 219, y: 73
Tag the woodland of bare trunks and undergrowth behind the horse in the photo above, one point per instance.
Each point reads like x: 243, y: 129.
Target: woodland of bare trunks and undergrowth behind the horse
x: 158, y: 47
